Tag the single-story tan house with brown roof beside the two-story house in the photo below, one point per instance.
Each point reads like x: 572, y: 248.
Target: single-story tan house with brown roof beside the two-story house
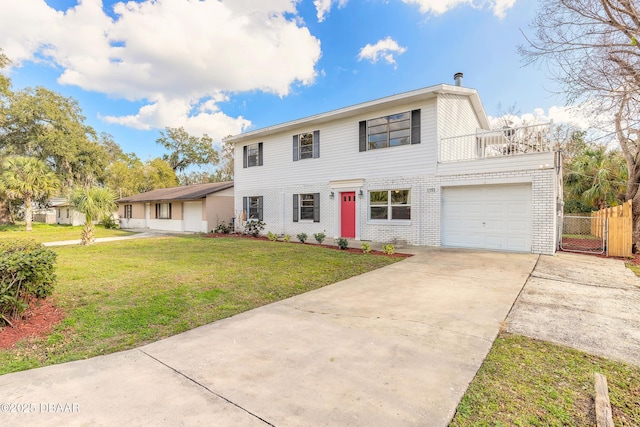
x: 198, y: 208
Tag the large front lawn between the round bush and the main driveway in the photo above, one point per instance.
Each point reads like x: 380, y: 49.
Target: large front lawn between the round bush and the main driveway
x: 124, y: 294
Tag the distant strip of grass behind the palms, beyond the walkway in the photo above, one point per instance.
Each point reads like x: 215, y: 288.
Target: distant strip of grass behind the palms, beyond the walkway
x: 54, y: 232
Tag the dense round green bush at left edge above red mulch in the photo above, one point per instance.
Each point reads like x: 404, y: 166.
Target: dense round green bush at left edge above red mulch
x: 26, y: 272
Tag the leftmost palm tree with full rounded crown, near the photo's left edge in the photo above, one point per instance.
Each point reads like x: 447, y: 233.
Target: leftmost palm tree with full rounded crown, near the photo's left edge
x: 27, y: 179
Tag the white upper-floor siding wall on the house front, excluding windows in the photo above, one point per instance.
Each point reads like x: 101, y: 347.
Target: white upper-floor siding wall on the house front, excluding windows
x: 339, y: 154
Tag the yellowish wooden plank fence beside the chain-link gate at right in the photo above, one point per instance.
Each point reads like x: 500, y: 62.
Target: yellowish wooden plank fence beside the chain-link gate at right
x: 620, y: 228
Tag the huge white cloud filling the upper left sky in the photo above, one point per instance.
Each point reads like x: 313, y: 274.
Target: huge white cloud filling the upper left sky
x: 182, y: 57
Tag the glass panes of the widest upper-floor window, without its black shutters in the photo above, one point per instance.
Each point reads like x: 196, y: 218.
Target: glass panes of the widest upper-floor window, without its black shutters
x: 389, y: 131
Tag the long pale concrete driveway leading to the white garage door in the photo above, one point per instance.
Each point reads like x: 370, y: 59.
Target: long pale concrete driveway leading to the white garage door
x: 397, y: 346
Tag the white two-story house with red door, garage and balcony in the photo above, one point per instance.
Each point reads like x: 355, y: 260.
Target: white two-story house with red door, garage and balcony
x: 420, y: 167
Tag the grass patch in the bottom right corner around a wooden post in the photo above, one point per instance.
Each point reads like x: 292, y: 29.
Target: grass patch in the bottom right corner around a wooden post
x: 526, y: 382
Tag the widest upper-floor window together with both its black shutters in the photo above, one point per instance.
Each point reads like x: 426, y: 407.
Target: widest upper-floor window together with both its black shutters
x: 390, y: 131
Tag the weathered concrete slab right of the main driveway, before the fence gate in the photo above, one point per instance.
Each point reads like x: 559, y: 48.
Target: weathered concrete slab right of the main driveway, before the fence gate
x: 581, y: 301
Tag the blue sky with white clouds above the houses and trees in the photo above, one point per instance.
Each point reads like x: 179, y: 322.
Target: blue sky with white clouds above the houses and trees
x: 223, y: 67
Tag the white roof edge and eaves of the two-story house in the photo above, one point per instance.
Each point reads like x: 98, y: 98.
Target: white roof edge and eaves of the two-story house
x: 370, y: 107
